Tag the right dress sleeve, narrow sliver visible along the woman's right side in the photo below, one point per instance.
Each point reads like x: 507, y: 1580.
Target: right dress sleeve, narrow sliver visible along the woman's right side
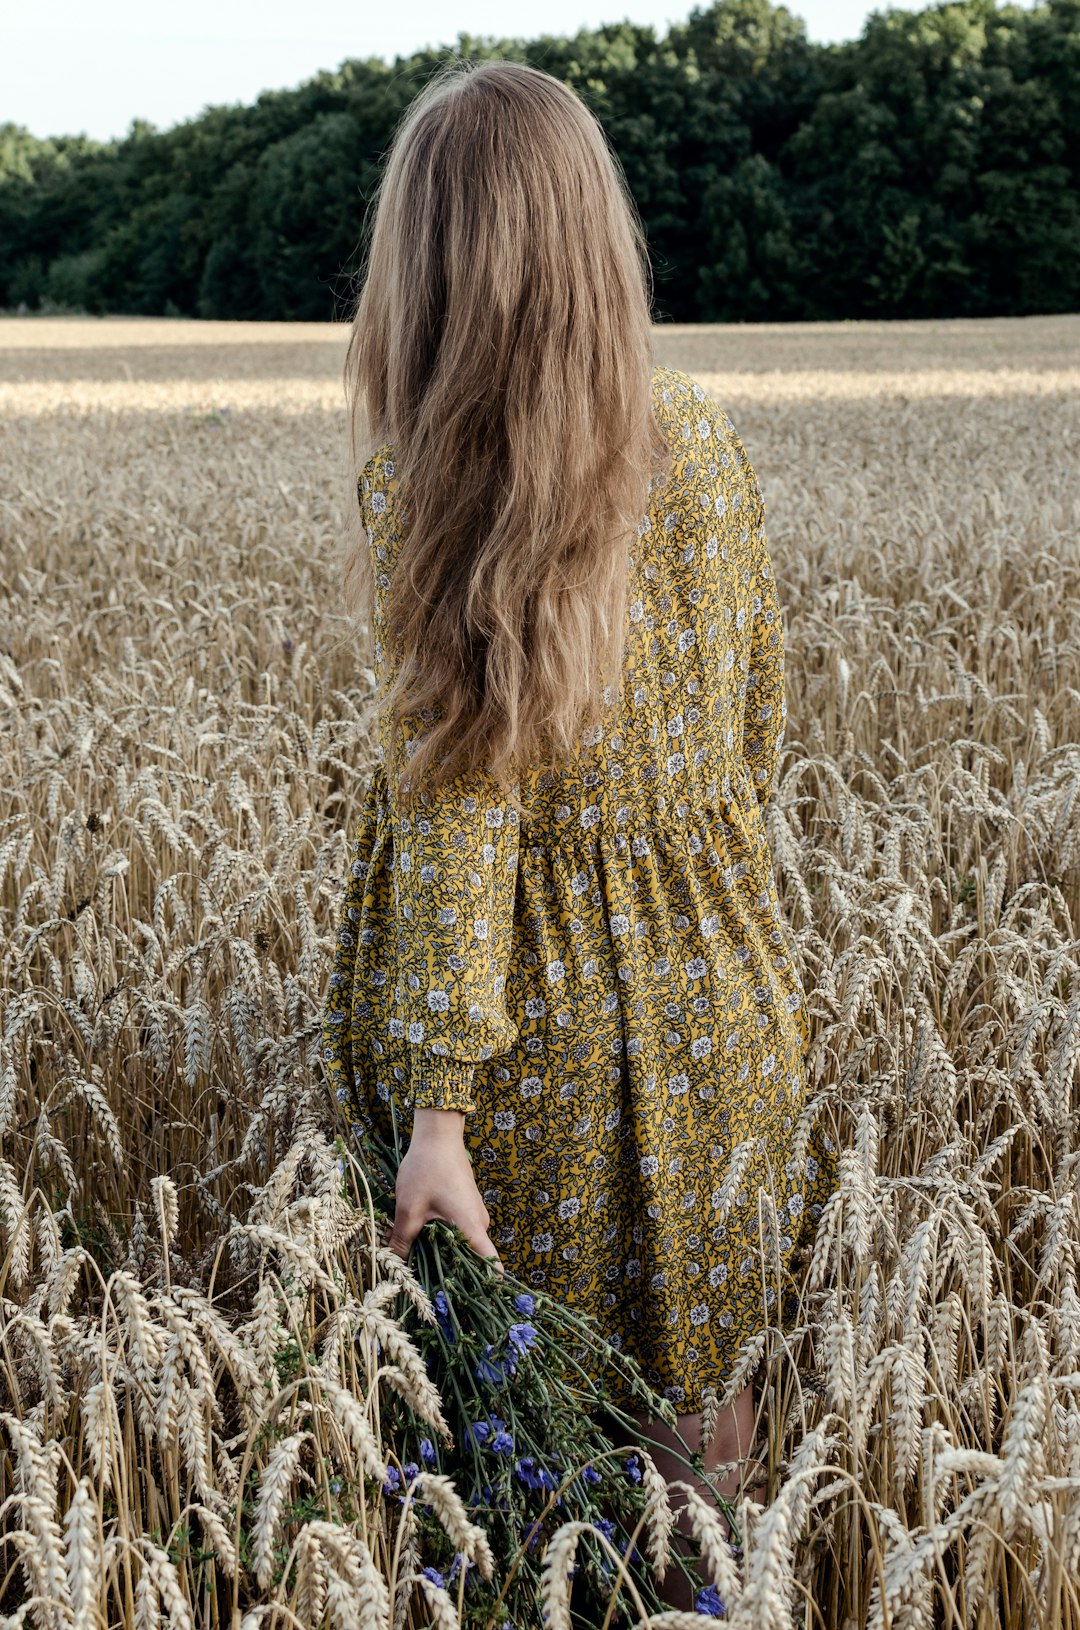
x: 765, y: 710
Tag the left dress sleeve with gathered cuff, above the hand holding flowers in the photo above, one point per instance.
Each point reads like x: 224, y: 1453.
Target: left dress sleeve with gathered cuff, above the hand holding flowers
x: 455, y: 860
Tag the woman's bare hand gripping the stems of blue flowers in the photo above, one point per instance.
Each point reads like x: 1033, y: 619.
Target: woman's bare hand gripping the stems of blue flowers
x: 436, y: 1181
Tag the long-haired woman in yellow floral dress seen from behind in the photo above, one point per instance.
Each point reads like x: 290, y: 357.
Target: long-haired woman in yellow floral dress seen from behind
x: 561, y: 954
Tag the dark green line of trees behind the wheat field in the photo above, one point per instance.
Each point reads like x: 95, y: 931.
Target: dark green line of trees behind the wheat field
x: 928, y: 169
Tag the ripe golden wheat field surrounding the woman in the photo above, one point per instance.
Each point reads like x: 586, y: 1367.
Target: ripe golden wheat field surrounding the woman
x: 191, y: 1289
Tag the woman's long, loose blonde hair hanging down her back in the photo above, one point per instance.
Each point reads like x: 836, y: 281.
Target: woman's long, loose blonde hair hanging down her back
x: 503, y: 346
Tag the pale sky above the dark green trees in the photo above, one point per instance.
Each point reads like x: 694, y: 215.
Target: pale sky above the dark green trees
x: 74, y: 68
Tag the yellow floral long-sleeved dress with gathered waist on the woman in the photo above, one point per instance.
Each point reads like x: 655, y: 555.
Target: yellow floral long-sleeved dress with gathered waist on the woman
x: 608, y: 989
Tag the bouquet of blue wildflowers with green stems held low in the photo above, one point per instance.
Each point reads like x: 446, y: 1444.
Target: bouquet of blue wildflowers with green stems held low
x: 524, y: 1383
